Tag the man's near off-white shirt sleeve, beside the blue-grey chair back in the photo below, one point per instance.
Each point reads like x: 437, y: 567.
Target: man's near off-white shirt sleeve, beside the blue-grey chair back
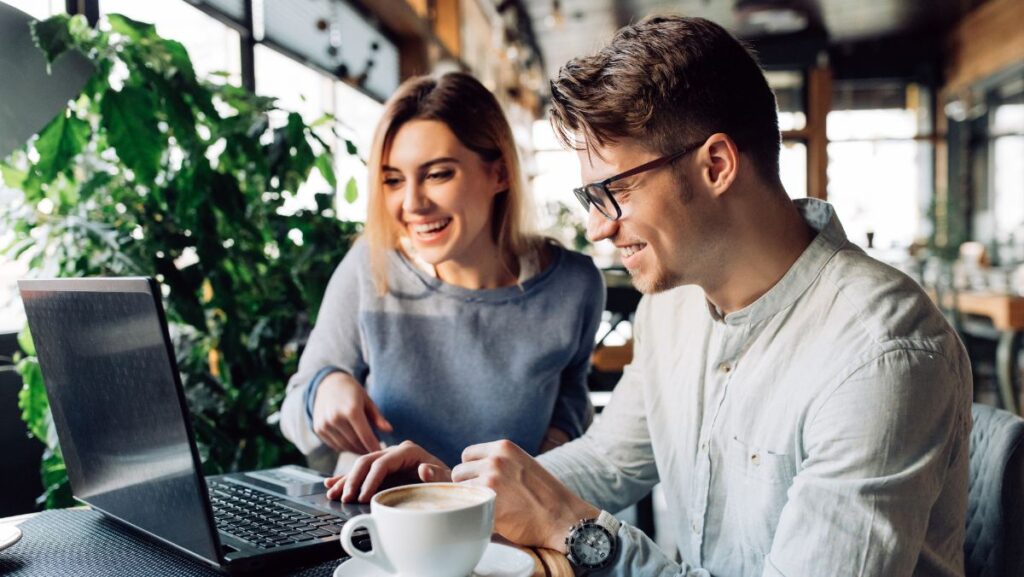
x: 880, y: 450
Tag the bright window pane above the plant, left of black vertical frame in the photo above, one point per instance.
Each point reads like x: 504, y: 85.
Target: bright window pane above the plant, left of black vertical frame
x: 212, y: 46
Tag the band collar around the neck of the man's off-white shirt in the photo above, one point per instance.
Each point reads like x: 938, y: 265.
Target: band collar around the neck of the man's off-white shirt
x: 831, y: 237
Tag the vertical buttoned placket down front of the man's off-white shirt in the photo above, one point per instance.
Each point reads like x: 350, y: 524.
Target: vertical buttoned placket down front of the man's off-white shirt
x: 727, y: 348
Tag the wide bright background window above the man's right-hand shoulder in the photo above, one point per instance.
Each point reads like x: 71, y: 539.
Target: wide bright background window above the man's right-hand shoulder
x: 880, y: 162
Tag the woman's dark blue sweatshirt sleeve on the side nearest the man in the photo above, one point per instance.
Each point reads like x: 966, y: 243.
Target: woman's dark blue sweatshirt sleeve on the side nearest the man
x: 573, y: 406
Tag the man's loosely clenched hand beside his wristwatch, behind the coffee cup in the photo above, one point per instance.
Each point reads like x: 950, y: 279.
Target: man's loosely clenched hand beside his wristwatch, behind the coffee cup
x: 533, y: 509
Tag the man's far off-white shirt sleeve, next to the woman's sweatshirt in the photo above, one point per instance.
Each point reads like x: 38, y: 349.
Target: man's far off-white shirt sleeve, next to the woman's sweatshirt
x: 613, y: 465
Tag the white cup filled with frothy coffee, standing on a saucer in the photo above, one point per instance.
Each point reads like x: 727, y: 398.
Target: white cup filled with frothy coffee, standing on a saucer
x: 428, y: 530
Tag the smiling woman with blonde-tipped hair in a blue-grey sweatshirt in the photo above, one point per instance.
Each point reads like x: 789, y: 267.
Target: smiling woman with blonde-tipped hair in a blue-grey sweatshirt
x: 447, y: 324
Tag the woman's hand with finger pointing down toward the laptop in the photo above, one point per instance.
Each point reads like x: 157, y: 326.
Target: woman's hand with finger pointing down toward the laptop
x: 344, y: 414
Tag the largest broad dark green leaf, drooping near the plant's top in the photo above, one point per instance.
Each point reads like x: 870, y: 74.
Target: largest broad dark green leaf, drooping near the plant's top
x: 130, y: 119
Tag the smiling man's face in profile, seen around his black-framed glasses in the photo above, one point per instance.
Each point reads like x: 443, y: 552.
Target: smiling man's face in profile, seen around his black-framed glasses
x: 668, y: 228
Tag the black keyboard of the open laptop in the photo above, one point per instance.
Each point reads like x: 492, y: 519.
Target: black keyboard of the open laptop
x: 267, y: 521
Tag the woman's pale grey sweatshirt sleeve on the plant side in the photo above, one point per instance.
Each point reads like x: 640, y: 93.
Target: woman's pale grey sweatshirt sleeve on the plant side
x: 335, y: 345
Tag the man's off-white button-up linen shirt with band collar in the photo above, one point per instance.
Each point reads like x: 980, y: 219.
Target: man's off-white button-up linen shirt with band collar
x: 822, y: 431
